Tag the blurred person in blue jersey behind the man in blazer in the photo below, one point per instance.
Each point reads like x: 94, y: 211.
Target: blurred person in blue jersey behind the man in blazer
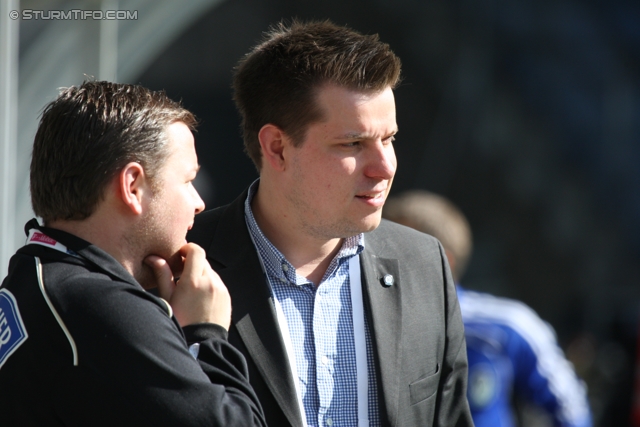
x: 511, y: 351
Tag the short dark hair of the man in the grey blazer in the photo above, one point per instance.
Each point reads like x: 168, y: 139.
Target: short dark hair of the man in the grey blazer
x: 276, y: 81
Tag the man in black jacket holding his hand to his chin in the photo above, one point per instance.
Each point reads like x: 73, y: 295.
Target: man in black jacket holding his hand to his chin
x: 82, y: 343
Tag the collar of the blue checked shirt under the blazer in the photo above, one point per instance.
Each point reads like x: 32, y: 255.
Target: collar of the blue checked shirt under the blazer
x: 274, y: 261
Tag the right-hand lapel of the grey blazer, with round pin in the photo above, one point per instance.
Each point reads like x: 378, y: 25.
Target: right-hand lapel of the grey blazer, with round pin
x: 385, y: 307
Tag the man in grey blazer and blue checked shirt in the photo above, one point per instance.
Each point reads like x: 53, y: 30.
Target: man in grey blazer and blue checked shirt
x: 344, y: 320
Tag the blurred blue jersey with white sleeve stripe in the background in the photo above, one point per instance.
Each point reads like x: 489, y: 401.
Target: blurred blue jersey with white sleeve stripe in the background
x: 512, y: 351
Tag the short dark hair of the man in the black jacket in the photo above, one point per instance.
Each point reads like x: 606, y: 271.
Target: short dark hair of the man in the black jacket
x: 87, y: 135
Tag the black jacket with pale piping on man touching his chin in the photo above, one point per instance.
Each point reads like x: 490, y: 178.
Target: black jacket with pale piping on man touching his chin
x: 101, y: 351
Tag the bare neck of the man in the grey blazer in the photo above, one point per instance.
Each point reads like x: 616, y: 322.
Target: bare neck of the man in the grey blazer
x: 310, y: 255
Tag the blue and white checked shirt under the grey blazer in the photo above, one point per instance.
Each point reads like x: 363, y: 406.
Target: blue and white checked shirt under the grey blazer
x: 320, y: 324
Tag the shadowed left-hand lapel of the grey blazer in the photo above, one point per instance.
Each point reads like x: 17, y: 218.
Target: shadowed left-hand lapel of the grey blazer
x: 253, y: 312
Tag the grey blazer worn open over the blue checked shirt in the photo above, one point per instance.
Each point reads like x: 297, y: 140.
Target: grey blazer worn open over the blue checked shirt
x: 420, y: 353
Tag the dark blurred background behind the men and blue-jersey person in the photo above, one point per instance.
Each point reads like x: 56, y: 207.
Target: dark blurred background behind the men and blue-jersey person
x: 524, y: 113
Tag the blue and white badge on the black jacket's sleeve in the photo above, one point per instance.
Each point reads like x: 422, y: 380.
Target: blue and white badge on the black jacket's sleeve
x: 12, y: 331
